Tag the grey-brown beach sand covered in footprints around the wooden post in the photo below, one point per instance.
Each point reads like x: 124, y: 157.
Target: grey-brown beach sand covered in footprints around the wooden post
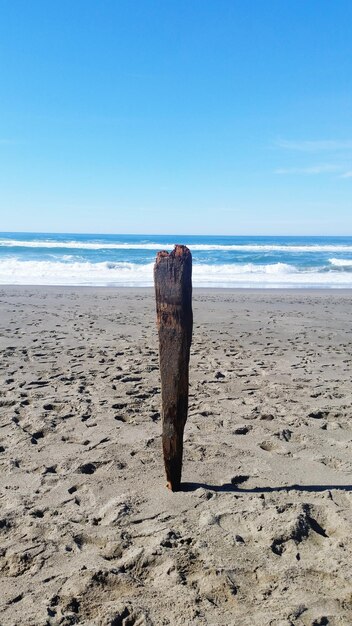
x: 260, y: 534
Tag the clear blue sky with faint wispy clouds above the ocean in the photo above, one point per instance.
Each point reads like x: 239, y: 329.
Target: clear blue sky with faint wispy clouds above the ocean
x: 165, y: 116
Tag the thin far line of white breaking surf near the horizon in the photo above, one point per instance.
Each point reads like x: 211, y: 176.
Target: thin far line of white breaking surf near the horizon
x: 86, y: 245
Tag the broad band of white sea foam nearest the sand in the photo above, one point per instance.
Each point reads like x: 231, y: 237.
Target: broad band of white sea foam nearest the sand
x: 14, y: 271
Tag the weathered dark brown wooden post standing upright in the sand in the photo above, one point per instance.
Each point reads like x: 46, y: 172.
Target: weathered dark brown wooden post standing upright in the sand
x: 173, y: 293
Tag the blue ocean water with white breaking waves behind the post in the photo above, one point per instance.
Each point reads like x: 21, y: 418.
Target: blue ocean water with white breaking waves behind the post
x: 127, y: 260
